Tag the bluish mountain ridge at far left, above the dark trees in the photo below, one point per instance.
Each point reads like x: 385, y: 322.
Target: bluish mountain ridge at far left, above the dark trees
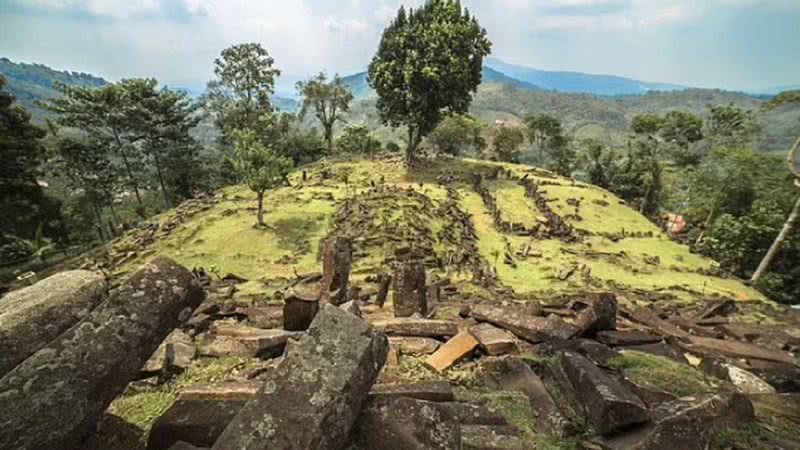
x: 31, y: 82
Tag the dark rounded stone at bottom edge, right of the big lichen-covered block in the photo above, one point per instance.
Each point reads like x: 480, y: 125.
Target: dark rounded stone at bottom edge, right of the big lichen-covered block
x: 402, y: 423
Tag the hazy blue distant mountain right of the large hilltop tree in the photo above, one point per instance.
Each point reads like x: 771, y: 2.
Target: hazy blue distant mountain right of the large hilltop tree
x: 578, y: 82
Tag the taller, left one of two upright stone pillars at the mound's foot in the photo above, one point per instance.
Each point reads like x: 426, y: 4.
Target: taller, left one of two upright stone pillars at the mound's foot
x: 336, y: 262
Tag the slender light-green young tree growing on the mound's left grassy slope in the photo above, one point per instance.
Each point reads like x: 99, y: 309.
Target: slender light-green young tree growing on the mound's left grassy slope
x: 260, y: 167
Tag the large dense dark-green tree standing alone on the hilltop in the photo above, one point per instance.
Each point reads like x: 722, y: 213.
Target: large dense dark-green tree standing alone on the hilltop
x: 429, y: 62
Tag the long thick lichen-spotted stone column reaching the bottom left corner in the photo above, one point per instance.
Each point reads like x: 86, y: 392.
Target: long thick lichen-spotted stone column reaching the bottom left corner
x: 61, y: 391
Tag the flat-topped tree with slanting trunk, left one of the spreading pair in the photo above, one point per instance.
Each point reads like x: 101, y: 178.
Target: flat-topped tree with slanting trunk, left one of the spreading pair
x: 111, y: 115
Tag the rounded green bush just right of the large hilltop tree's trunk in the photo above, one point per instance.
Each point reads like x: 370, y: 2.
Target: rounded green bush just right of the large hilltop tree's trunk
x: 458, y: 134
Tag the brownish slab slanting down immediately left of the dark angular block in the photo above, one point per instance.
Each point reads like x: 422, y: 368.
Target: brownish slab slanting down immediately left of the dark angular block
x: 513, y: 374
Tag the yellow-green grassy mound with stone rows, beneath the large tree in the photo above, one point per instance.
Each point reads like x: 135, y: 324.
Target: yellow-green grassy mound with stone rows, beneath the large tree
x: 384, y: 209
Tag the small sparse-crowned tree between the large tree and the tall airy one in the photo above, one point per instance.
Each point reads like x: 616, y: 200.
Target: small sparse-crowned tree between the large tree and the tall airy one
x: 329, y: 100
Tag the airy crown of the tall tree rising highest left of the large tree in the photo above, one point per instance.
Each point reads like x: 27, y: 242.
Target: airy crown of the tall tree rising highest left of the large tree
x: 242, y: 90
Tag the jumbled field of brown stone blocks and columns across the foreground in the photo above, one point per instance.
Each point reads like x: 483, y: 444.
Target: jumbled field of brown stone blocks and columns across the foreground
x: 376, y: 364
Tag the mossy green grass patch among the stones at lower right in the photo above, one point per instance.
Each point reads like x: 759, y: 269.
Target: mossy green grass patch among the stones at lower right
x: 663, y: 373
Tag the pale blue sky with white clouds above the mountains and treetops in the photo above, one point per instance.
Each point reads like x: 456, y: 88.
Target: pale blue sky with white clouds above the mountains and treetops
x: 730, y: 44
